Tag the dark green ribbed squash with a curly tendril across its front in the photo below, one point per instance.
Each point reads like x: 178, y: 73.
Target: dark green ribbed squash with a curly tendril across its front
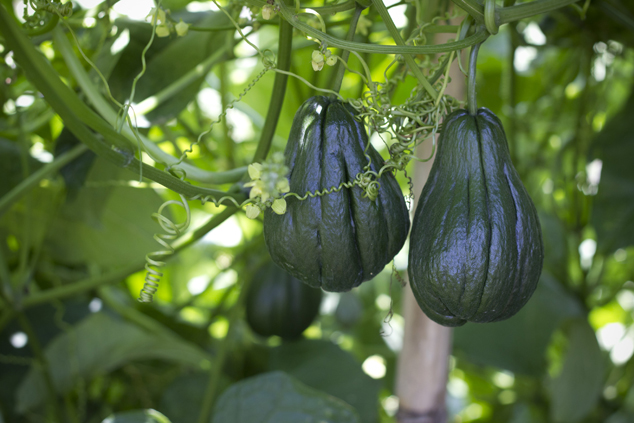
x: 341, y: 239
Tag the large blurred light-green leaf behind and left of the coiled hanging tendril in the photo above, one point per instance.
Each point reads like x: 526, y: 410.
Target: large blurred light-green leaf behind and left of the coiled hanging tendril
x: 107, y: 223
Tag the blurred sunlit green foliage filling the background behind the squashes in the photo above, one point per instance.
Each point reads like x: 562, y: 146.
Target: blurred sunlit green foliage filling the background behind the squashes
x: 77, y: 348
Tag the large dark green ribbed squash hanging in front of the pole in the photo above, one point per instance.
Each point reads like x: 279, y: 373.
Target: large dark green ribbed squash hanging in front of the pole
x: 476, y: 247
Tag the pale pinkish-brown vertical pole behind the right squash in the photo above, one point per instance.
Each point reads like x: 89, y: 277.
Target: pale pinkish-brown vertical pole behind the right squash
x: 423, y: 364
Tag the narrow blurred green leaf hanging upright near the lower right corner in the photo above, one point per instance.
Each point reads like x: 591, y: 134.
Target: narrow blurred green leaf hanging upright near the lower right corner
x: 577, y: 389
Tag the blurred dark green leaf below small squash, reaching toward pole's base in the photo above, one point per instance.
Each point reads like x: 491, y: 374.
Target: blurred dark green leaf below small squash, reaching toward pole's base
x: 323, y: 365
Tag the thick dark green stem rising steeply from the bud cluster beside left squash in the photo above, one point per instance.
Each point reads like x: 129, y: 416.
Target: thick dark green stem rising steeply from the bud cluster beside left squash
x: 284, y: 51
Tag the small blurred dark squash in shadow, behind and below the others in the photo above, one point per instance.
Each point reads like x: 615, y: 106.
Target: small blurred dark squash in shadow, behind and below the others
x: 278, y: 304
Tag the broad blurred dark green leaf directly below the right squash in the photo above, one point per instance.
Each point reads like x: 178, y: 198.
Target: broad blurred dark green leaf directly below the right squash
x: 519, y: 343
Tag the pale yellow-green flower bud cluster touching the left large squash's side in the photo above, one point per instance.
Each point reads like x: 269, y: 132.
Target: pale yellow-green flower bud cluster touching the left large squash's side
x: 268, y: 185
